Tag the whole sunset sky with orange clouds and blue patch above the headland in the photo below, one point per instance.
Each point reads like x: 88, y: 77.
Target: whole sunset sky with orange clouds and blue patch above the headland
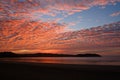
x: 60, y: 26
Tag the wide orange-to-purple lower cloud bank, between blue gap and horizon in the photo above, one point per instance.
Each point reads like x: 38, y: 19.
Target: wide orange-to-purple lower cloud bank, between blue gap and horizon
x: 50, y: 36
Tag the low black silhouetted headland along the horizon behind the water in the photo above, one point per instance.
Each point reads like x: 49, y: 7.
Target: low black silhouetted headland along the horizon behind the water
x: 11, y: 54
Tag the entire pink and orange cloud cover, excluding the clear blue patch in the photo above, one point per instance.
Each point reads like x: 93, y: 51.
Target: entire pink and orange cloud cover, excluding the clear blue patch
x: 22, y: 28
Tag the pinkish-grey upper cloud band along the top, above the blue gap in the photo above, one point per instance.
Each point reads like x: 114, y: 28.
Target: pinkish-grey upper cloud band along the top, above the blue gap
x: 17, y: 9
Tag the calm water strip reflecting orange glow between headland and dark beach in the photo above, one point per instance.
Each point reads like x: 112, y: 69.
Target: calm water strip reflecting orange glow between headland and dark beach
x: 68, y: 60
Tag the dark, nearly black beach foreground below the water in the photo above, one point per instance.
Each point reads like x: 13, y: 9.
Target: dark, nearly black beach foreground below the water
x: 34, y: 71
